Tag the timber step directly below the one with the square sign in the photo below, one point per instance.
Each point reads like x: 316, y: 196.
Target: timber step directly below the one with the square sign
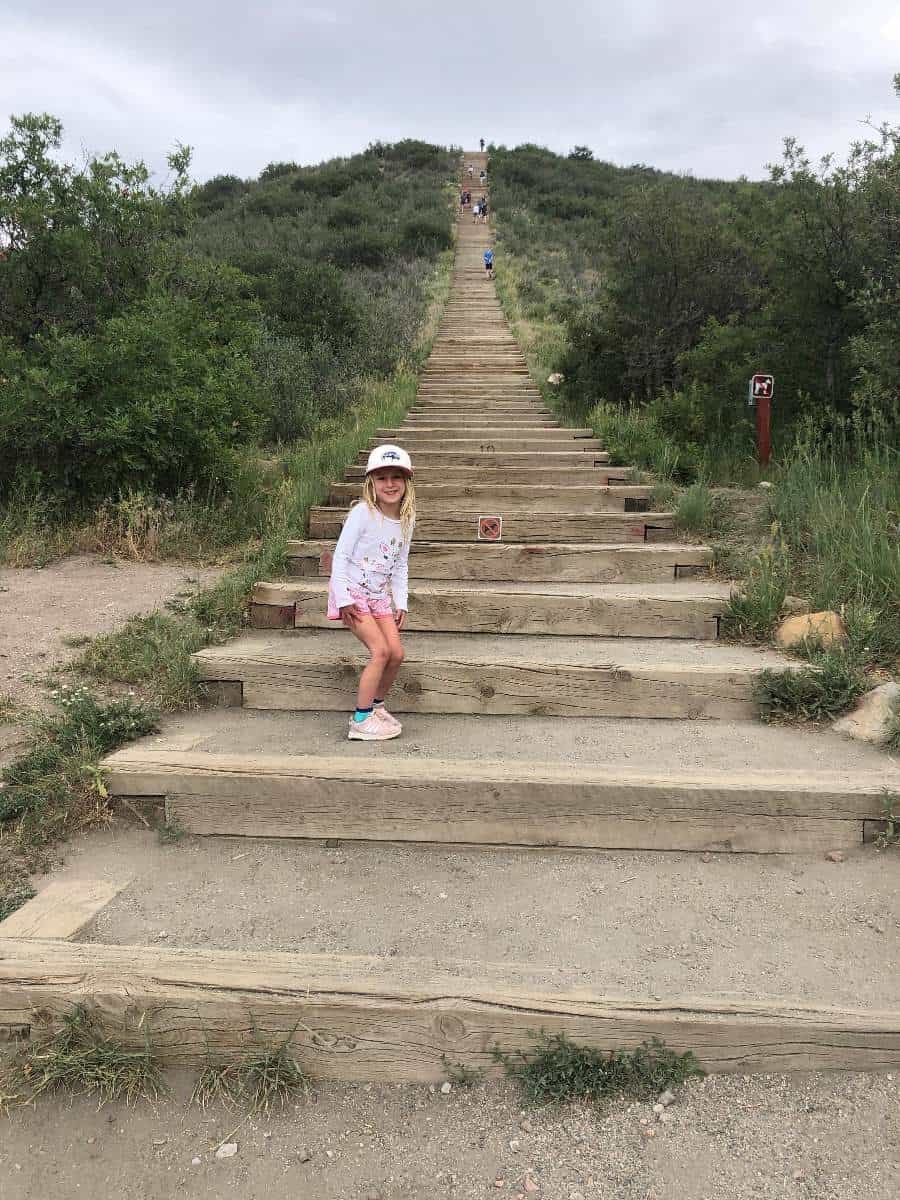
x: 646, y: 563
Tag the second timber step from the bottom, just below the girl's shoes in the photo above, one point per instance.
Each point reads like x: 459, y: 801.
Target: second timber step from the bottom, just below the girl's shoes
x: 502, y: 803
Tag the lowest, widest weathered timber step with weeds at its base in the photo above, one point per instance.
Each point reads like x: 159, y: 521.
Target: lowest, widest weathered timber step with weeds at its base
x: 364, y: 1018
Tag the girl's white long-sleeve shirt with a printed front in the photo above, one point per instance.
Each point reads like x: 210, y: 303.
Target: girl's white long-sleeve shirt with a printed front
x: 373, y: 556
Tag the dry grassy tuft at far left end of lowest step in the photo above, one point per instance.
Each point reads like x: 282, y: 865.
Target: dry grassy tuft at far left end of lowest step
x: 86, y: 1061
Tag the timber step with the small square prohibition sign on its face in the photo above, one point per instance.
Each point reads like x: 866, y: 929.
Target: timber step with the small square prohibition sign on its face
x: 437, y: 525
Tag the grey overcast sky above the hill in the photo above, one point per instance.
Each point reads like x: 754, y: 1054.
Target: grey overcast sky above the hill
x: 680, y: 85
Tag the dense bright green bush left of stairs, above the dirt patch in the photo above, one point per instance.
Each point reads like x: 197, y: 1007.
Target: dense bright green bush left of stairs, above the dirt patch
x: 157, y: 399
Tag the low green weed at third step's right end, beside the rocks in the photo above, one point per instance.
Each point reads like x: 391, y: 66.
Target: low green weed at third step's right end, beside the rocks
x: 817, y: 693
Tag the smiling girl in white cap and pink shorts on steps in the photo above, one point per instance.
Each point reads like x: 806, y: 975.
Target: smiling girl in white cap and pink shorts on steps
x: 373, y: 556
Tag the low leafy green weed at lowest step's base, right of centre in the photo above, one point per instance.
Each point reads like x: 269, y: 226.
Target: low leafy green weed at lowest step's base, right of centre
x: 560, y: 1072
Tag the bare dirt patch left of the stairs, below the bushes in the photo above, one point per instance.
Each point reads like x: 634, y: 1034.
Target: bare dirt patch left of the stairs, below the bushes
x: 81, y: 597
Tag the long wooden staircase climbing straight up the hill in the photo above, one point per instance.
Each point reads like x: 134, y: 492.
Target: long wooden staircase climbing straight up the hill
x: 585, y: 610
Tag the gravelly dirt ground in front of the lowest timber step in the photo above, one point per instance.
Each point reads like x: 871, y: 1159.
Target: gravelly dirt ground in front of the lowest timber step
x: 727, y: 1138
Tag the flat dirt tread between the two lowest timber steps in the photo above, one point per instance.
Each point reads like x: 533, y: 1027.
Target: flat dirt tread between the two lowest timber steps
x: 627, y: 923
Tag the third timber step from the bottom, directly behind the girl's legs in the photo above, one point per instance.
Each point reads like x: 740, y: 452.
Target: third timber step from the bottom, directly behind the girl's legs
x: 317, y: 670
